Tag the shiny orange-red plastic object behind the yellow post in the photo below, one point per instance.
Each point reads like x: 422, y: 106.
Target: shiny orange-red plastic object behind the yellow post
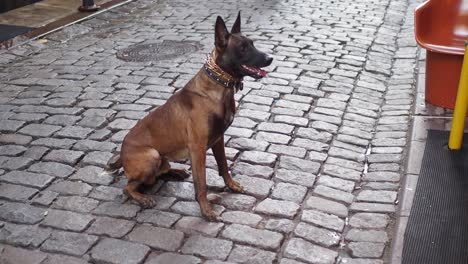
x: 441, y: 27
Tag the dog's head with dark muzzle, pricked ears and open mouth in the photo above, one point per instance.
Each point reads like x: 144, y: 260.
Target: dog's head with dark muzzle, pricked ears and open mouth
x: 236, y: 54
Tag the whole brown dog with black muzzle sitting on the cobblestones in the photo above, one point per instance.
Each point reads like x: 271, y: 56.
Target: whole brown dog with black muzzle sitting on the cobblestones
x: 192, y: 121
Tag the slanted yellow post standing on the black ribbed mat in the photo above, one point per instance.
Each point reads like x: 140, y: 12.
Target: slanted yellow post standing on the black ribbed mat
x: 461, y: 106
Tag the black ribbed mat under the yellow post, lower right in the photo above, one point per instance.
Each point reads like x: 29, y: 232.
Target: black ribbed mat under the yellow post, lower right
x: 437, y: 230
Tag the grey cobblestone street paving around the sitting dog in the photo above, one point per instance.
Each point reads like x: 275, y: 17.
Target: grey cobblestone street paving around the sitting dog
x: 319, y: 144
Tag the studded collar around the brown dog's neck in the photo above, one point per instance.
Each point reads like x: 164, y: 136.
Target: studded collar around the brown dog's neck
x: 220, y: 76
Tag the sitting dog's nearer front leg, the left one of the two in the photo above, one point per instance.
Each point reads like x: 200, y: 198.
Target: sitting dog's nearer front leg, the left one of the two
x: 198, y: 160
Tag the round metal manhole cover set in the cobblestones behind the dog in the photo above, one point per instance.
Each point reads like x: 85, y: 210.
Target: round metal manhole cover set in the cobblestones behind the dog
x: 158, y: 51
